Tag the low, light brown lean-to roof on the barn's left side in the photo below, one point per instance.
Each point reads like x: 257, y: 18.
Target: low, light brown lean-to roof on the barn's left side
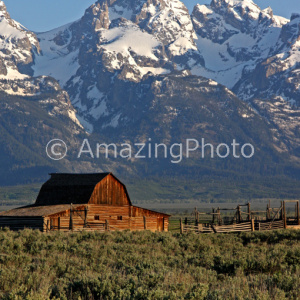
x: 36, y: 211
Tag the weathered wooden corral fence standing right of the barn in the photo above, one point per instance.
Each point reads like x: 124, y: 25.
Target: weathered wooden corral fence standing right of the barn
x: 243, y: 219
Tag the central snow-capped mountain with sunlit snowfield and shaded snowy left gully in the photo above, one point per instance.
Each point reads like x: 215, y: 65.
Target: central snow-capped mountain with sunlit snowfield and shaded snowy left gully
x: 116, y: 40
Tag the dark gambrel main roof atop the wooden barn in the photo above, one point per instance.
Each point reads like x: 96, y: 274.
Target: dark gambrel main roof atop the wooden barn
x: 64, y: 188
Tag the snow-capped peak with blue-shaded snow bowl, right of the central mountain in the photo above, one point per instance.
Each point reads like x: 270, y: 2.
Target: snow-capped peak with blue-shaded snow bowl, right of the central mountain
x: 233, y: 36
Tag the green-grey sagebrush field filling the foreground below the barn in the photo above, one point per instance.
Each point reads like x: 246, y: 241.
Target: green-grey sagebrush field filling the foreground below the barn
x: 145, y: 265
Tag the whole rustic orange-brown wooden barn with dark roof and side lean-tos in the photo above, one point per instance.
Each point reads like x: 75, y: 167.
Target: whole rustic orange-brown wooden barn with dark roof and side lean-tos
x: 83, y: 202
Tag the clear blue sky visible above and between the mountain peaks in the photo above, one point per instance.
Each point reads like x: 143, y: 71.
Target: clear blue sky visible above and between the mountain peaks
x: 43, y: 15
